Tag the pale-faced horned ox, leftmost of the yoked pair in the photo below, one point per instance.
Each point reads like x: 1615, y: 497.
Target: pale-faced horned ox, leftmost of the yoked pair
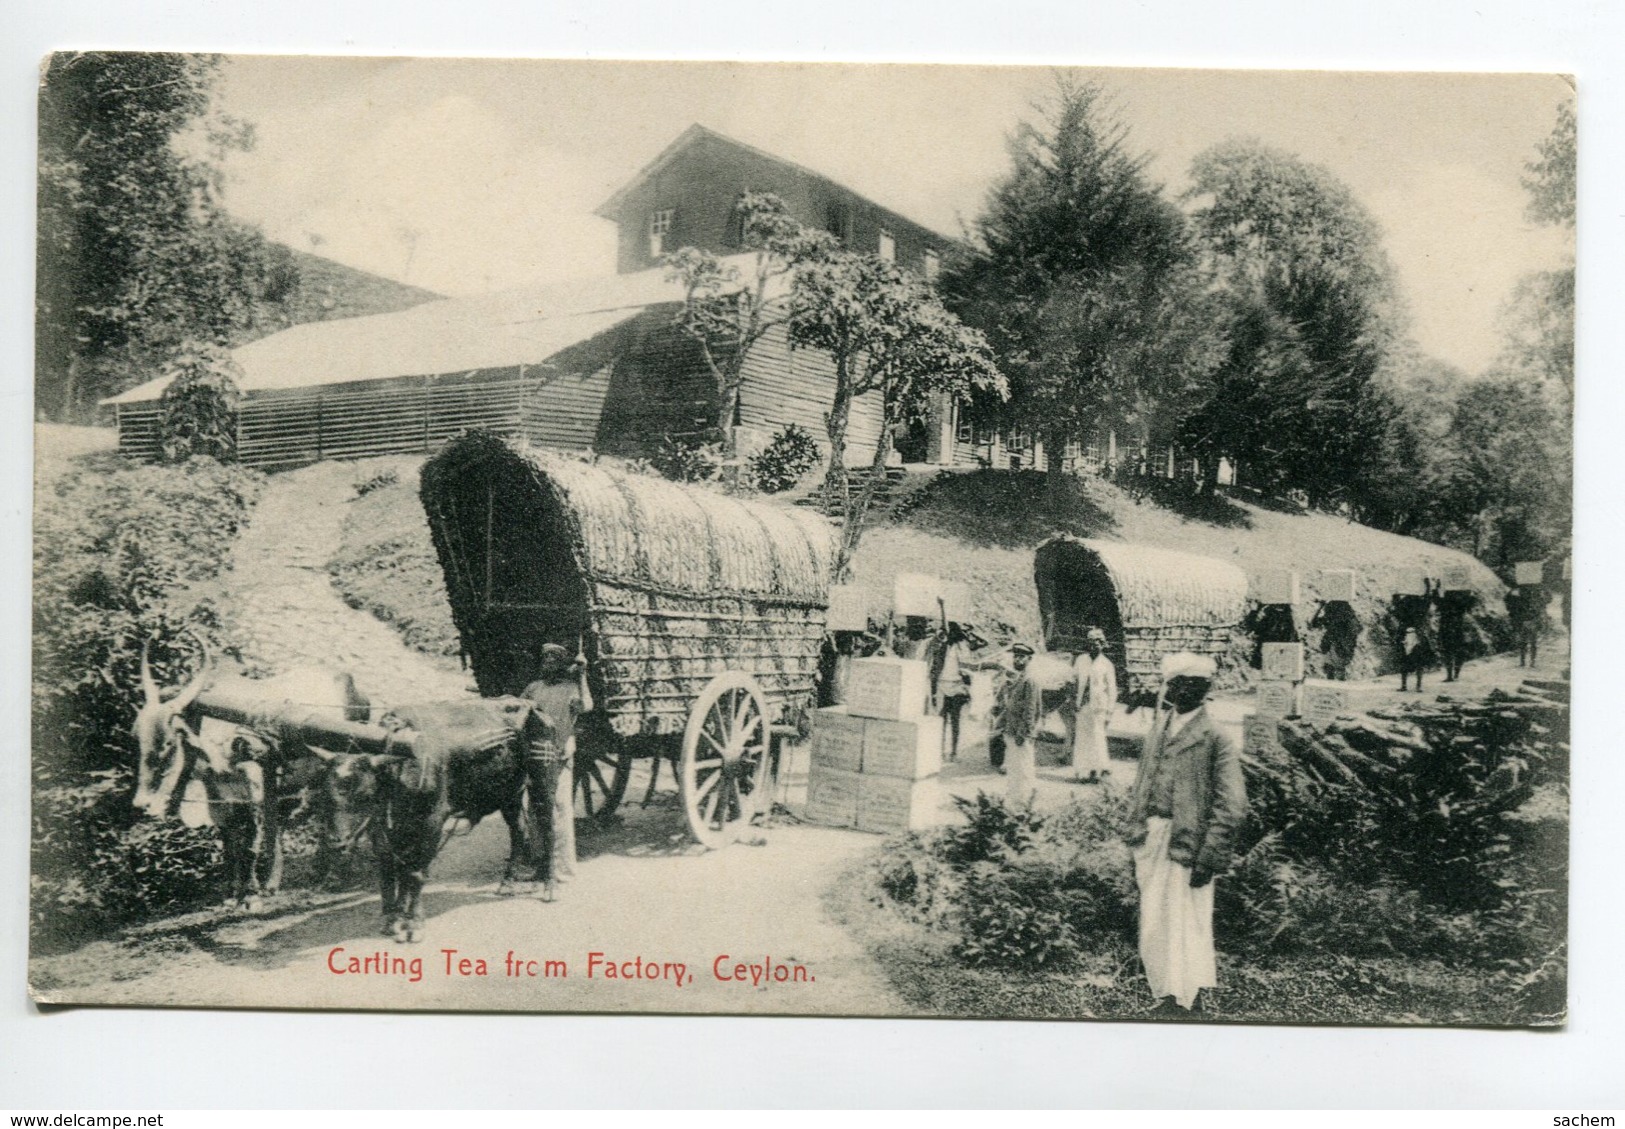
x: 241, y: 781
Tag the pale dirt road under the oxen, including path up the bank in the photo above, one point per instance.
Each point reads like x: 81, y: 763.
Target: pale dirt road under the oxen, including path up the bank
x: 644, y: 898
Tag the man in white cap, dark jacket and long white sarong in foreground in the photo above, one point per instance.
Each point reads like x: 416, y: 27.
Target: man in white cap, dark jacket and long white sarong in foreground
x: 1185, y: 810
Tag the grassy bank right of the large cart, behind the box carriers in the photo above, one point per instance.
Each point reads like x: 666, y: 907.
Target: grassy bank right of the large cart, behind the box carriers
x: 982, y: 527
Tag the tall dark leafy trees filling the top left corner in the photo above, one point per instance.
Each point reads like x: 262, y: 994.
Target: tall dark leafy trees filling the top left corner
x: 134, y: 251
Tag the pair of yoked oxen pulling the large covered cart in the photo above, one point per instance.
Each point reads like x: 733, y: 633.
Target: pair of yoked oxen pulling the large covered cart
x: 430, y: 772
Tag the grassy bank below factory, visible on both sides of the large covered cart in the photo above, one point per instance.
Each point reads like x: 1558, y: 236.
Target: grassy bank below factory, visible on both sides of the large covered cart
x: 976, y: 527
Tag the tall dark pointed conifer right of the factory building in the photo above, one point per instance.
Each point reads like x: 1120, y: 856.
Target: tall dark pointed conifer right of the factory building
x: 1083, y: 277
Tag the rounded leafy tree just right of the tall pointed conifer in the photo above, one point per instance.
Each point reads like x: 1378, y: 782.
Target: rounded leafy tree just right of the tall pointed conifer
x: 1301, y: 256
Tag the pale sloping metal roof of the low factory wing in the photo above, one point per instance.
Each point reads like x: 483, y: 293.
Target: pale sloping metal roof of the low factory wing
x: 453, y: 335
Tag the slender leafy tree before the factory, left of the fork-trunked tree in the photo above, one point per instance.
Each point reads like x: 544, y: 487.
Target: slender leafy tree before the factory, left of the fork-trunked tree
x: 729, y: 313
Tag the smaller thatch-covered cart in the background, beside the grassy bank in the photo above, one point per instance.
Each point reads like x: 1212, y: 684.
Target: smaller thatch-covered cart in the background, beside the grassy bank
x: 1148, y: 602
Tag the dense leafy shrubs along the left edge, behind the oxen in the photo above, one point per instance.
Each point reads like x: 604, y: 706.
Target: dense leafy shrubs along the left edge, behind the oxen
x: 123, y: 558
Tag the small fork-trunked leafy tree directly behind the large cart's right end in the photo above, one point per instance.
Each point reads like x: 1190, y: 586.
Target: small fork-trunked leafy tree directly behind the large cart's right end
x: 888, y: 335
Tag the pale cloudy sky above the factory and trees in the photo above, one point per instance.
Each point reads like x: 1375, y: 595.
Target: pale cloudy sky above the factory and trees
x: 469, y: 176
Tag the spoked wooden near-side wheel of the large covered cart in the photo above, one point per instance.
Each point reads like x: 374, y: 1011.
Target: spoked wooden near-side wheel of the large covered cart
x: 726, y: 758
